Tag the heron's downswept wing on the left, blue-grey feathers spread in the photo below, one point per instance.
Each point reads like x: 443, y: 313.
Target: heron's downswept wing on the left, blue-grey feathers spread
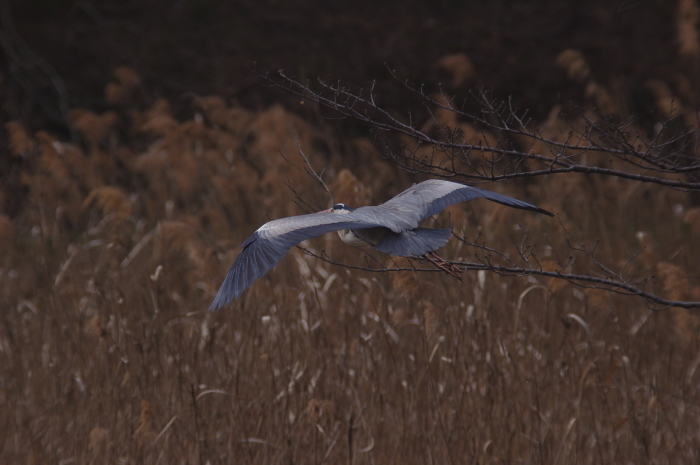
x: 266, y: 246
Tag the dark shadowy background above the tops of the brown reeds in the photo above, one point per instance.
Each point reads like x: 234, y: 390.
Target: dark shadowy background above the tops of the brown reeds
x: 209, y: 47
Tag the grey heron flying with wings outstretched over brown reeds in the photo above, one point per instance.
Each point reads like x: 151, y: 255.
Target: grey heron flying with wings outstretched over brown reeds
x: 391, y: 227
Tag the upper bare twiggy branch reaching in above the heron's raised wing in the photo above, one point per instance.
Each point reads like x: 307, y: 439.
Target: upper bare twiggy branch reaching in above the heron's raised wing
x: 655, y: 160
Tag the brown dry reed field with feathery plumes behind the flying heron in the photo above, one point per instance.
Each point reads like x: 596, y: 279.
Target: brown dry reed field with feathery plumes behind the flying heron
x: 108, y: 353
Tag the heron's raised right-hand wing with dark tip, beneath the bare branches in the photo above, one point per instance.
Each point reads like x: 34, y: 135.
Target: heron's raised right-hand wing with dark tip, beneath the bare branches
x: 428, y: 198
